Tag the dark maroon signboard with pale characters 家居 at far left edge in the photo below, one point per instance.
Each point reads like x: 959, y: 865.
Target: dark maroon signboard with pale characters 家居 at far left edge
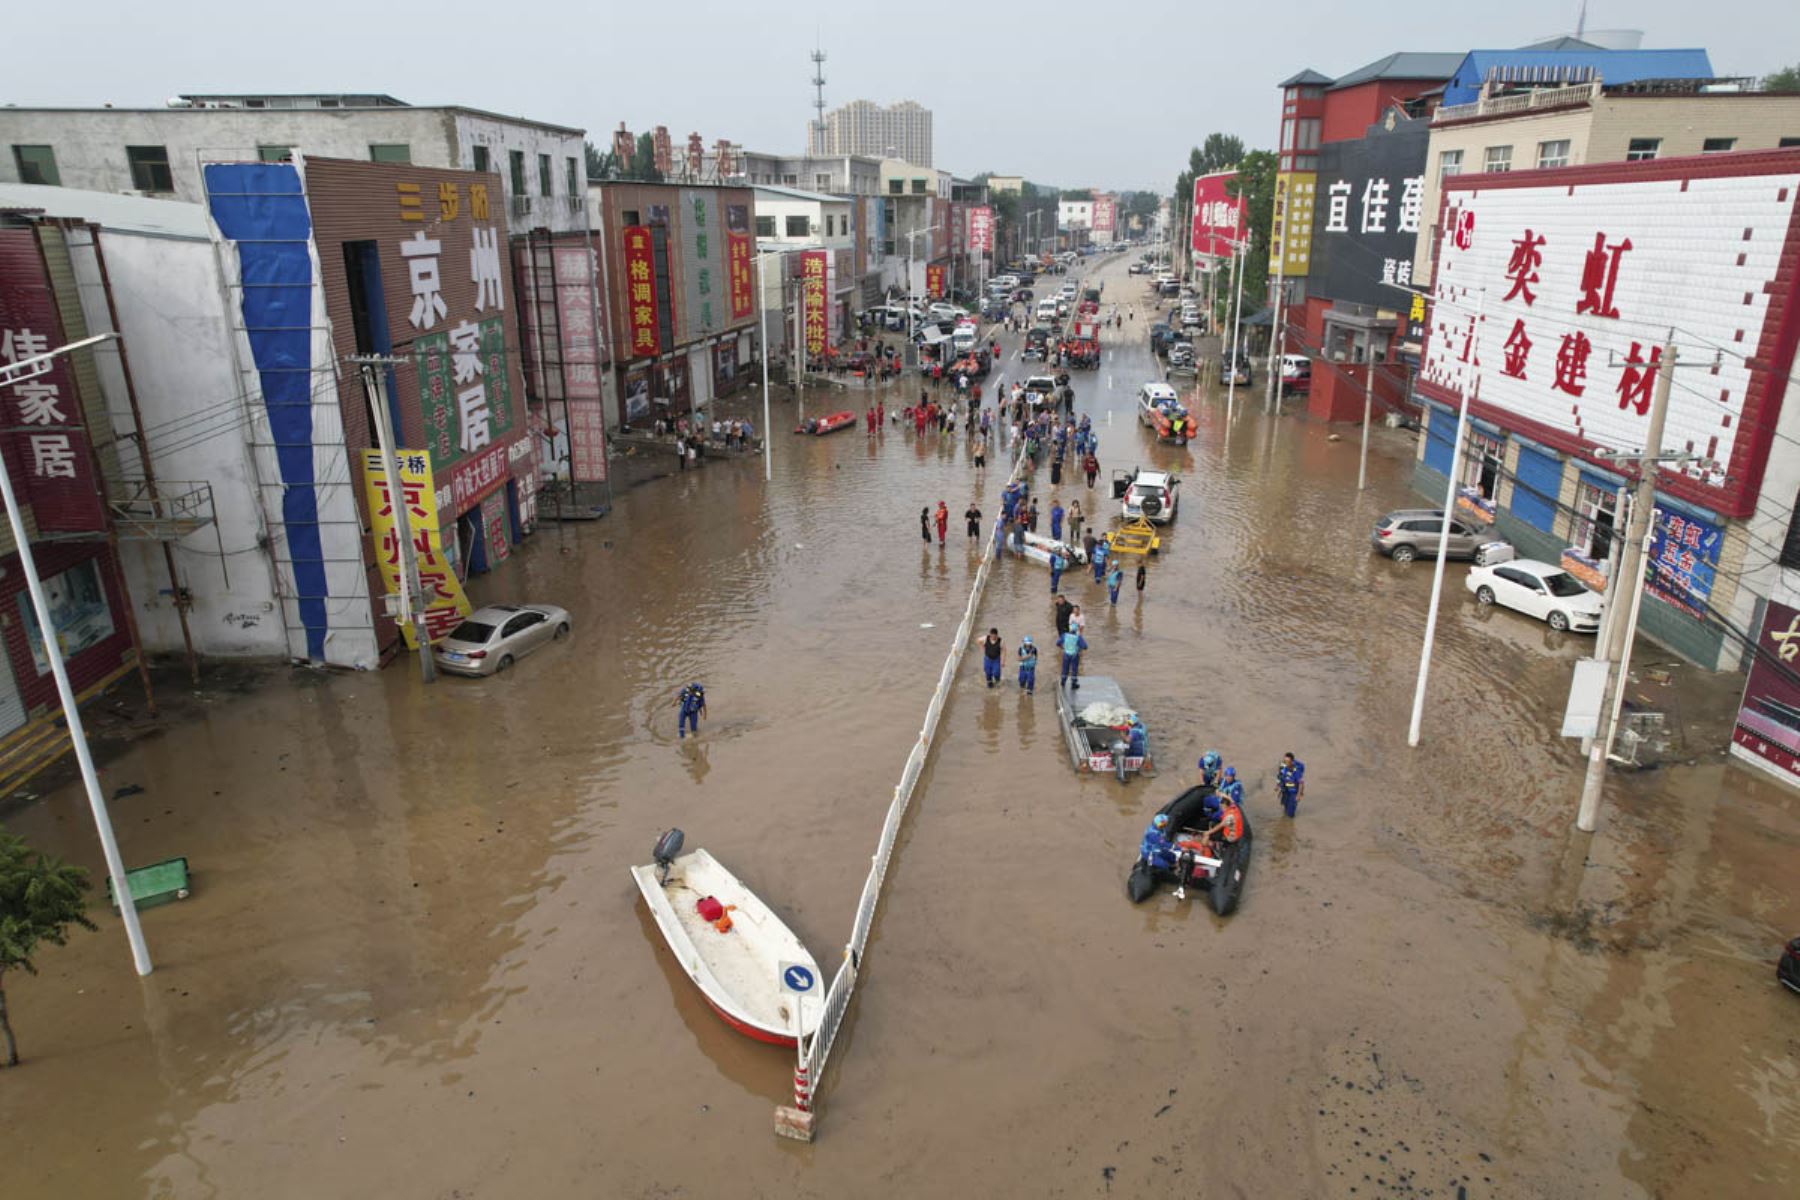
x: 48, y: 447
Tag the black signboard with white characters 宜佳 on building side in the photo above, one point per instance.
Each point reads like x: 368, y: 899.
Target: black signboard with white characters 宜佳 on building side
x: 1367, y: 226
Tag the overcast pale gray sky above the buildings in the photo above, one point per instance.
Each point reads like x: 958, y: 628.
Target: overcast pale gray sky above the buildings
x: 1079, y: 94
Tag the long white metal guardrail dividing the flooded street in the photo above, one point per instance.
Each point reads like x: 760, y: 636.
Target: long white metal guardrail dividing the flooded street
x: 814, y: 1053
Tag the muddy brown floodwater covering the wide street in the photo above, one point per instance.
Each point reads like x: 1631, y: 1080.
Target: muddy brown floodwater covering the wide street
x: 415, y: 963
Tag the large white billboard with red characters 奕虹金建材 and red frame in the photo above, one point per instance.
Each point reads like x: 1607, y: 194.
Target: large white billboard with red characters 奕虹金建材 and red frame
x: 1583, y: 276
